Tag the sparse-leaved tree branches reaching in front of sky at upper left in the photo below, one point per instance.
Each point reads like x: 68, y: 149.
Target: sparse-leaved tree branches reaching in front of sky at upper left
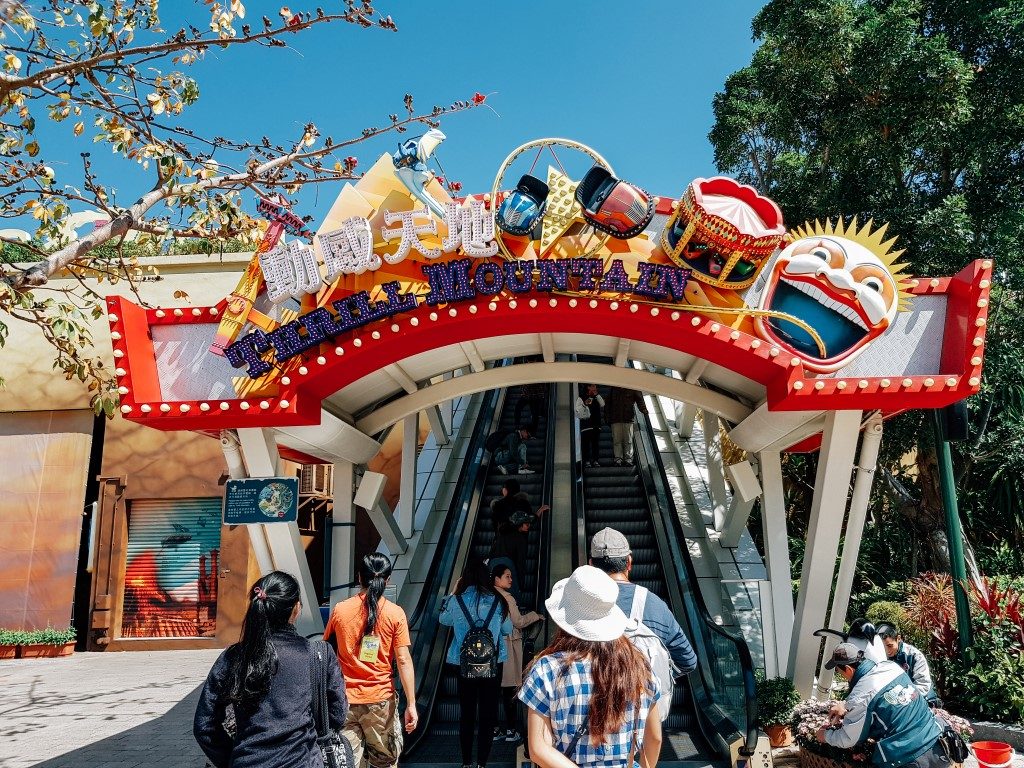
x: 112, y: 72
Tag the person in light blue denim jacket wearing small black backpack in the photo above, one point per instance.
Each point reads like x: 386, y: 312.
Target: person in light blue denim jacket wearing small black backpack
x: 479, y: 698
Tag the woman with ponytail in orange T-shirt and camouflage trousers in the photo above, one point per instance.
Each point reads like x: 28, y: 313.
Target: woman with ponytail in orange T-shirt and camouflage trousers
x: 369, y: 632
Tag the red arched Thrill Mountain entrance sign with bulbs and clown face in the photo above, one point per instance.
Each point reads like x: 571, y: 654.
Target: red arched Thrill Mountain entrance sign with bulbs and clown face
x: 378, y: 323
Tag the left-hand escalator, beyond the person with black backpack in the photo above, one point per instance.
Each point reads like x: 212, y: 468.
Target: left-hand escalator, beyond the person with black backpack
x: 437, y: 741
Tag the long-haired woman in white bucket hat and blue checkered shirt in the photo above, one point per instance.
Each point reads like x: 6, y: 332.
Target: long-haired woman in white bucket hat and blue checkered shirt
x: 590, y: 693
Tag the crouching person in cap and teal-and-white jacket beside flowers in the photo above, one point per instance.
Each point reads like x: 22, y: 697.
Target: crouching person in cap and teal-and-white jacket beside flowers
x: 885, y: 706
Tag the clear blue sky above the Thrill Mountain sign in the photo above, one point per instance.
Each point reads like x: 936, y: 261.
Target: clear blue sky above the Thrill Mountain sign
x: 634, y: 80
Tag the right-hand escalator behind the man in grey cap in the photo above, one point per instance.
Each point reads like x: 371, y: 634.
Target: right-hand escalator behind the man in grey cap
x: 714, y: 707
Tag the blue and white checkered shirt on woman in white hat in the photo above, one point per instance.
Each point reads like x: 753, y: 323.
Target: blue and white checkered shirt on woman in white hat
x: 564, y: 696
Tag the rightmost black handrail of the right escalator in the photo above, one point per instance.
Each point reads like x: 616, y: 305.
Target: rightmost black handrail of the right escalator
x: 656, y: 483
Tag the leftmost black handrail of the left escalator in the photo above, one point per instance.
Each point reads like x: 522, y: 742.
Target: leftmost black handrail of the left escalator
x: 431, y: 648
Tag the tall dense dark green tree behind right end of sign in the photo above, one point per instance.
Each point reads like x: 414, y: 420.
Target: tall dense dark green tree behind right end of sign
x: 911, y: 112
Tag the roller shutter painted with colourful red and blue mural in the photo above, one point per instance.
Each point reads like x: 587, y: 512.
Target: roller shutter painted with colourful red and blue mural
x: 173, y: 567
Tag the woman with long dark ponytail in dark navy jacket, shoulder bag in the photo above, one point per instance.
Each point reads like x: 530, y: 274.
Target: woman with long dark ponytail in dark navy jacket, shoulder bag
x: 261, y: 690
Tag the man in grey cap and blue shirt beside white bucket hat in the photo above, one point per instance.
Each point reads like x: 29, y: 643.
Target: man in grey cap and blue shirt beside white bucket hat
x: 611, y: 552
